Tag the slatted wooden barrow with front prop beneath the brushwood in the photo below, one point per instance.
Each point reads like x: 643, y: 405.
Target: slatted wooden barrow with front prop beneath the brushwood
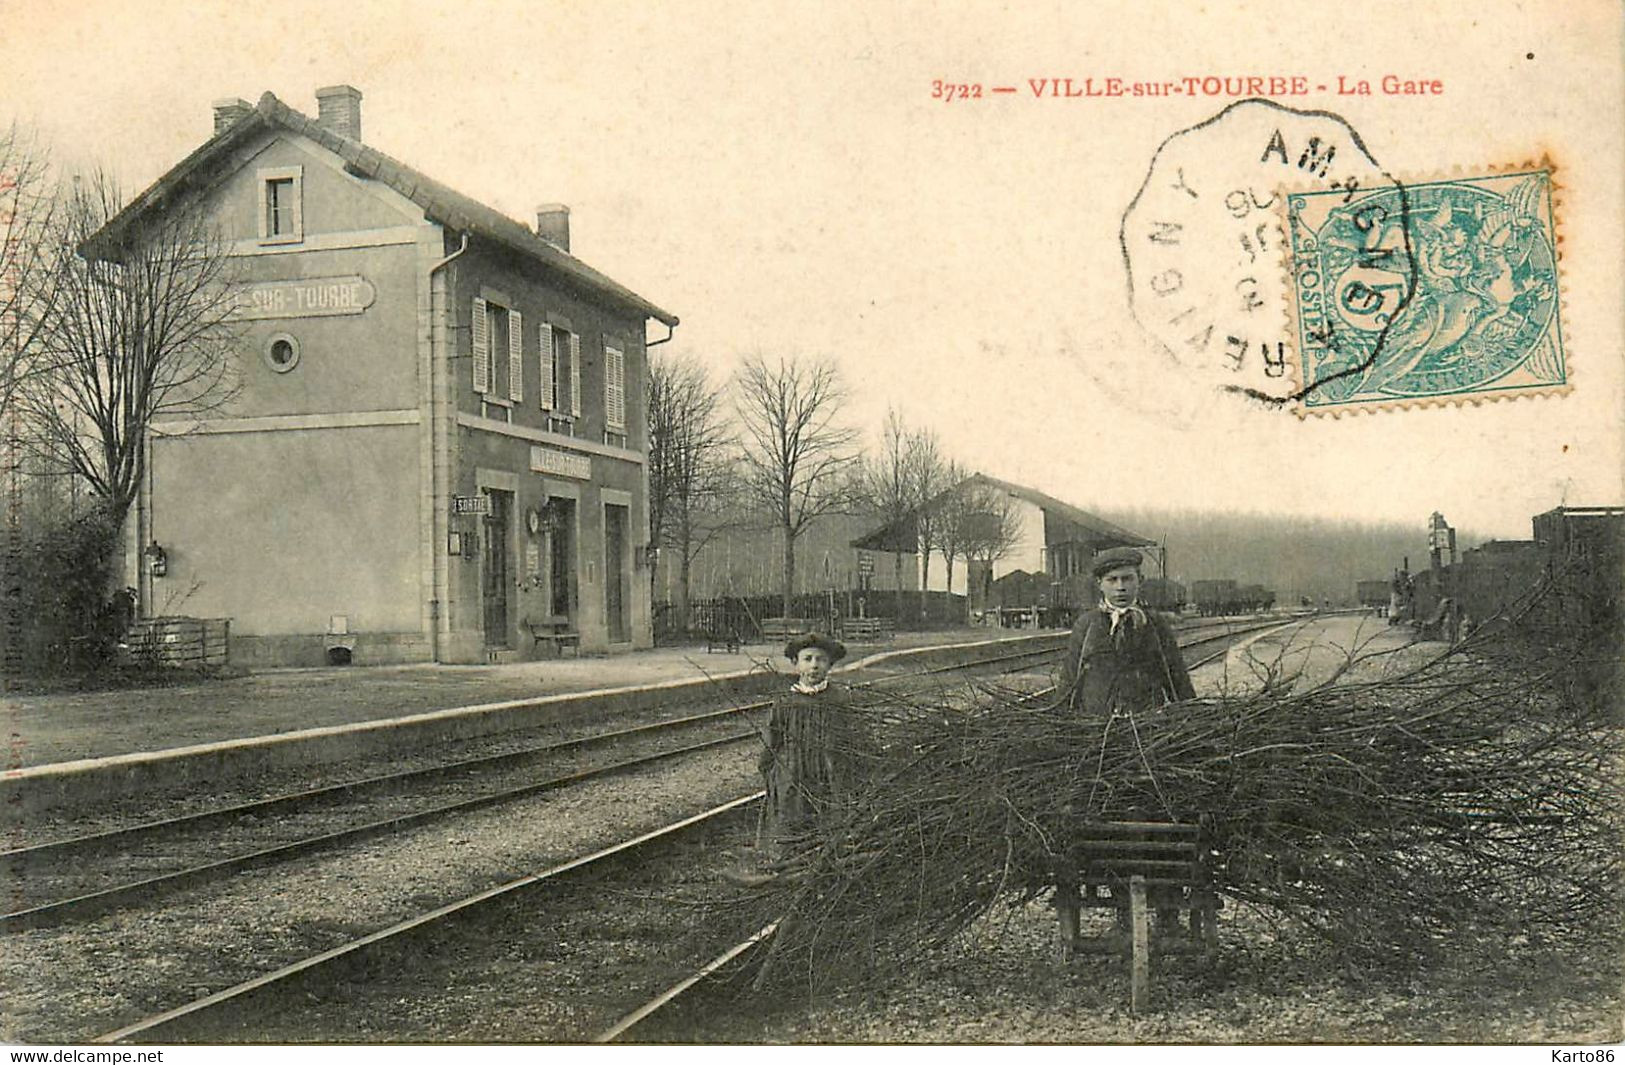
x: 1163, y: 866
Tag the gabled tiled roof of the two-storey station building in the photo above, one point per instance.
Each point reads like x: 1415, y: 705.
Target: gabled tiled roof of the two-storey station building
x: 440, y: 202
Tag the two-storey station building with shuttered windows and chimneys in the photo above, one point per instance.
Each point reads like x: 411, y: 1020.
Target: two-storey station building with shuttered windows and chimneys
x: 438, y: 450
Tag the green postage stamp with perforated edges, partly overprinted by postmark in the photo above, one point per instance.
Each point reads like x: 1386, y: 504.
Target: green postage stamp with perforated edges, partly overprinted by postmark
x: 1428, y: 293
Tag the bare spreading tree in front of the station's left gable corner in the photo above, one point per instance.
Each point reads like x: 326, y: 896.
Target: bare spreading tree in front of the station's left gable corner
x: 141, y: 328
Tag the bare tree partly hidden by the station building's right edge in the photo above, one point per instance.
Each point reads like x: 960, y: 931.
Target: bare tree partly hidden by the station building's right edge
x: 690, y: 474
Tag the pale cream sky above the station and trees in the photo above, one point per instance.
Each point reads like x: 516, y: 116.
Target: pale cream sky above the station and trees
x: 782, y: 180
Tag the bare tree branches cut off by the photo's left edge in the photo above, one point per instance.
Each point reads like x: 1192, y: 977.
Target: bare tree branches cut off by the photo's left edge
x: 27, y: 254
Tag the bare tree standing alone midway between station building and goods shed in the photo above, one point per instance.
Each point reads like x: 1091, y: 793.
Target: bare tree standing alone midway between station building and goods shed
x: 797, y: 451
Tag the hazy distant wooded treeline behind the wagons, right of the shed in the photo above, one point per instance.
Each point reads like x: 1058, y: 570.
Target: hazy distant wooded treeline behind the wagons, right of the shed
x: 1294, y: 557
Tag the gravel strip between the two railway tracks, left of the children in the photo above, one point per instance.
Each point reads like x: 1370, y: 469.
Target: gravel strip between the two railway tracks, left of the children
x: 72, y: 983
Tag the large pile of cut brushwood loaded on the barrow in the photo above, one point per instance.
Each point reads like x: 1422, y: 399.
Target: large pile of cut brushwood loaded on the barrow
x: 1403, y: 806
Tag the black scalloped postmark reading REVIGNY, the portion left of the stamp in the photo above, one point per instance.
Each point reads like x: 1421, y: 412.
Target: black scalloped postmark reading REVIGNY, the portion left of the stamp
x: 1207, y: 253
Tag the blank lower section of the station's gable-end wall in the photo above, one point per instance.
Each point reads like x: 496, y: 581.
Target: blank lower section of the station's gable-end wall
x: 282, y: 531
